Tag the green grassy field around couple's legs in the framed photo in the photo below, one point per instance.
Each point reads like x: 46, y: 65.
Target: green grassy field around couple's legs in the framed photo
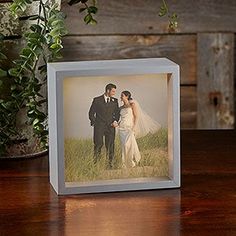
x: 79, y: 164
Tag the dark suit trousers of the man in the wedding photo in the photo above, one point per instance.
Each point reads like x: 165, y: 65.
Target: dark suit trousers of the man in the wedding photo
x: 102, y: 130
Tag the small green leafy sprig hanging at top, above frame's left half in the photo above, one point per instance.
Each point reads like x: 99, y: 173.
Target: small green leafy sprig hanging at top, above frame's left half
x: 90, y: 10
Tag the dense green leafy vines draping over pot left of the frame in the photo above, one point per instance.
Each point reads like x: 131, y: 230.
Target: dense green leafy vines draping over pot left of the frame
x: 43, y: 44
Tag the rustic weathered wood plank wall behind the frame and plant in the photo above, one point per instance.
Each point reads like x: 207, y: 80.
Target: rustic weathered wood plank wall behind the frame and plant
x: 203, y: 45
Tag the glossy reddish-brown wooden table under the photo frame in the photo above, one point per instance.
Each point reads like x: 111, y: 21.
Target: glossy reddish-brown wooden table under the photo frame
x: 204, y: 205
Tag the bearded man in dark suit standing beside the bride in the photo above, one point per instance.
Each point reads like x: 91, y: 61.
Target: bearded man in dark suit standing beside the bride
x: 104, y: 114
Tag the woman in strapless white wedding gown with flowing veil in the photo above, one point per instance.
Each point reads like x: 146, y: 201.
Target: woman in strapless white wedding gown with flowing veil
x: 134, y: 122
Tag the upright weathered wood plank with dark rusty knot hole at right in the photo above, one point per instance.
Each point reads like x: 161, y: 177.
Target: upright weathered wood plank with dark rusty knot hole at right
x: 215, y: 90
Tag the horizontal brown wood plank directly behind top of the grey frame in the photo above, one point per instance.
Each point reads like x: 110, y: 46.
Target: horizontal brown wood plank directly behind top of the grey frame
x: 180, y: 49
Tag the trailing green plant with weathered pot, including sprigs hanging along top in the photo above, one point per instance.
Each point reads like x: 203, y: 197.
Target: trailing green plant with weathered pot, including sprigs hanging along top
x: 23, y: 99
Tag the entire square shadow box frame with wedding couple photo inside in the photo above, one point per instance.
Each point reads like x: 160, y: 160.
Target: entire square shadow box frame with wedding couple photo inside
x: 114, y: 125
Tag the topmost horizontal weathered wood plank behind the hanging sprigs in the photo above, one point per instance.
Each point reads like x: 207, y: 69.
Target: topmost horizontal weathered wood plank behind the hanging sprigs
x: 141, y: 17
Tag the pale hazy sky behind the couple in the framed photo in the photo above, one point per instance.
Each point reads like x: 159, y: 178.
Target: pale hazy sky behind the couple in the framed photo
x: 149, y: 90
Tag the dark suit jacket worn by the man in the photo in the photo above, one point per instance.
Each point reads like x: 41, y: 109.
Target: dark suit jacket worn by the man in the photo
x: 101, y: 112
